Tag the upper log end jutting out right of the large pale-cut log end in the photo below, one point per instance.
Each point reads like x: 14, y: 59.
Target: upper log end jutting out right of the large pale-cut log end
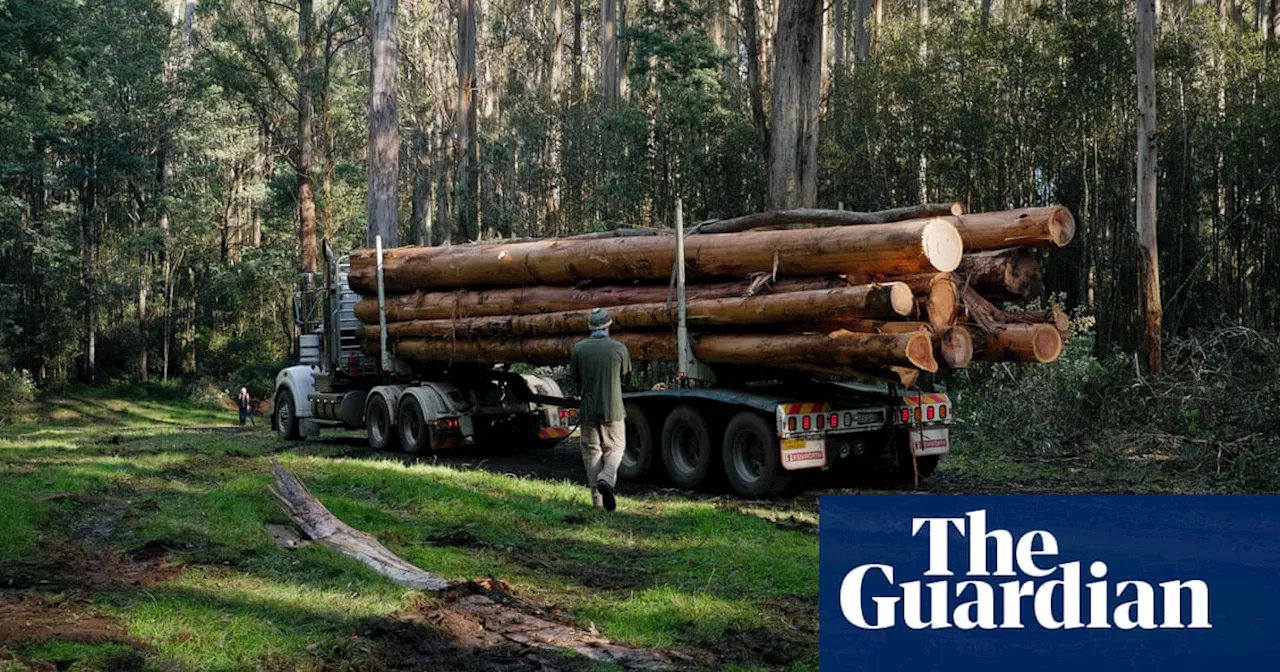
x: 1035, y: 227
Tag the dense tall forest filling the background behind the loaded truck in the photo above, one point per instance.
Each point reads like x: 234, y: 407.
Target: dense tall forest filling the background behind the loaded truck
x: 168, y: 167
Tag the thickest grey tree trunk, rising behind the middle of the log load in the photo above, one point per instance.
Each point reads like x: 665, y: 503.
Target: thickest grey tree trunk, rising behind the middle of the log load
x: 797, y: 98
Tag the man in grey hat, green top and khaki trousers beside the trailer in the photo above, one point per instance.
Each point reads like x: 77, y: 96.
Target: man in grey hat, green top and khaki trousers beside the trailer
x: 598, y: 365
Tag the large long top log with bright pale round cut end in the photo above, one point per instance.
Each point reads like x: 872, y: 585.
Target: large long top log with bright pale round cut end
x: 907, y: 248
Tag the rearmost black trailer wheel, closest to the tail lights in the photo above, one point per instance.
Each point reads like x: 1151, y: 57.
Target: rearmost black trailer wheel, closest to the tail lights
x: 752, y: 460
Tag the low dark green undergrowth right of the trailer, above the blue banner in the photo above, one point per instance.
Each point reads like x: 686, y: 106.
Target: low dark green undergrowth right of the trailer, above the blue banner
x: 1212, y: 418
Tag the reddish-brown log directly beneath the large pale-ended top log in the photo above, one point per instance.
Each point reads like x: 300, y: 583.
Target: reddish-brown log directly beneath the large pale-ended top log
x: 546, y: 299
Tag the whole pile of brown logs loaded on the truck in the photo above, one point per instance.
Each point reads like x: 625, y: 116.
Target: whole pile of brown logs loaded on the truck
x: 883, y: 295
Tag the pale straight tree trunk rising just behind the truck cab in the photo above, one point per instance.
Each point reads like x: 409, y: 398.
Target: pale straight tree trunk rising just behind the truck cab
x: 383, y: 127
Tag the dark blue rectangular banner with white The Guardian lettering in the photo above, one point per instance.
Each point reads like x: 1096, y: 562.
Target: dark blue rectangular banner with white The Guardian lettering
x: 1050, y: 583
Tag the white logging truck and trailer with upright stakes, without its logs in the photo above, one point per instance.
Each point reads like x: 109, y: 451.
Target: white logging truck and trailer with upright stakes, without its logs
x: 756, y: 429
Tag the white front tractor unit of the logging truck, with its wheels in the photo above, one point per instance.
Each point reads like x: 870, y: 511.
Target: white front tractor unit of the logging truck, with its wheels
x: 337, y: 385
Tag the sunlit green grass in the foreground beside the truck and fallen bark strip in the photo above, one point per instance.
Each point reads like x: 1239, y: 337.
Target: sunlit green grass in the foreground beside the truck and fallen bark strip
x: 95, y: 473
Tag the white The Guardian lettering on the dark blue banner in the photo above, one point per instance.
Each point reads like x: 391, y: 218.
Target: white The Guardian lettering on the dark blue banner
x: 1012, y: 584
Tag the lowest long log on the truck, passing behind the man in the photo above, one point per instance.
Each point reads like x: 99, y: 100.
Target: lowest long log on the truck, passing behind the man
x: 840, y: 350
